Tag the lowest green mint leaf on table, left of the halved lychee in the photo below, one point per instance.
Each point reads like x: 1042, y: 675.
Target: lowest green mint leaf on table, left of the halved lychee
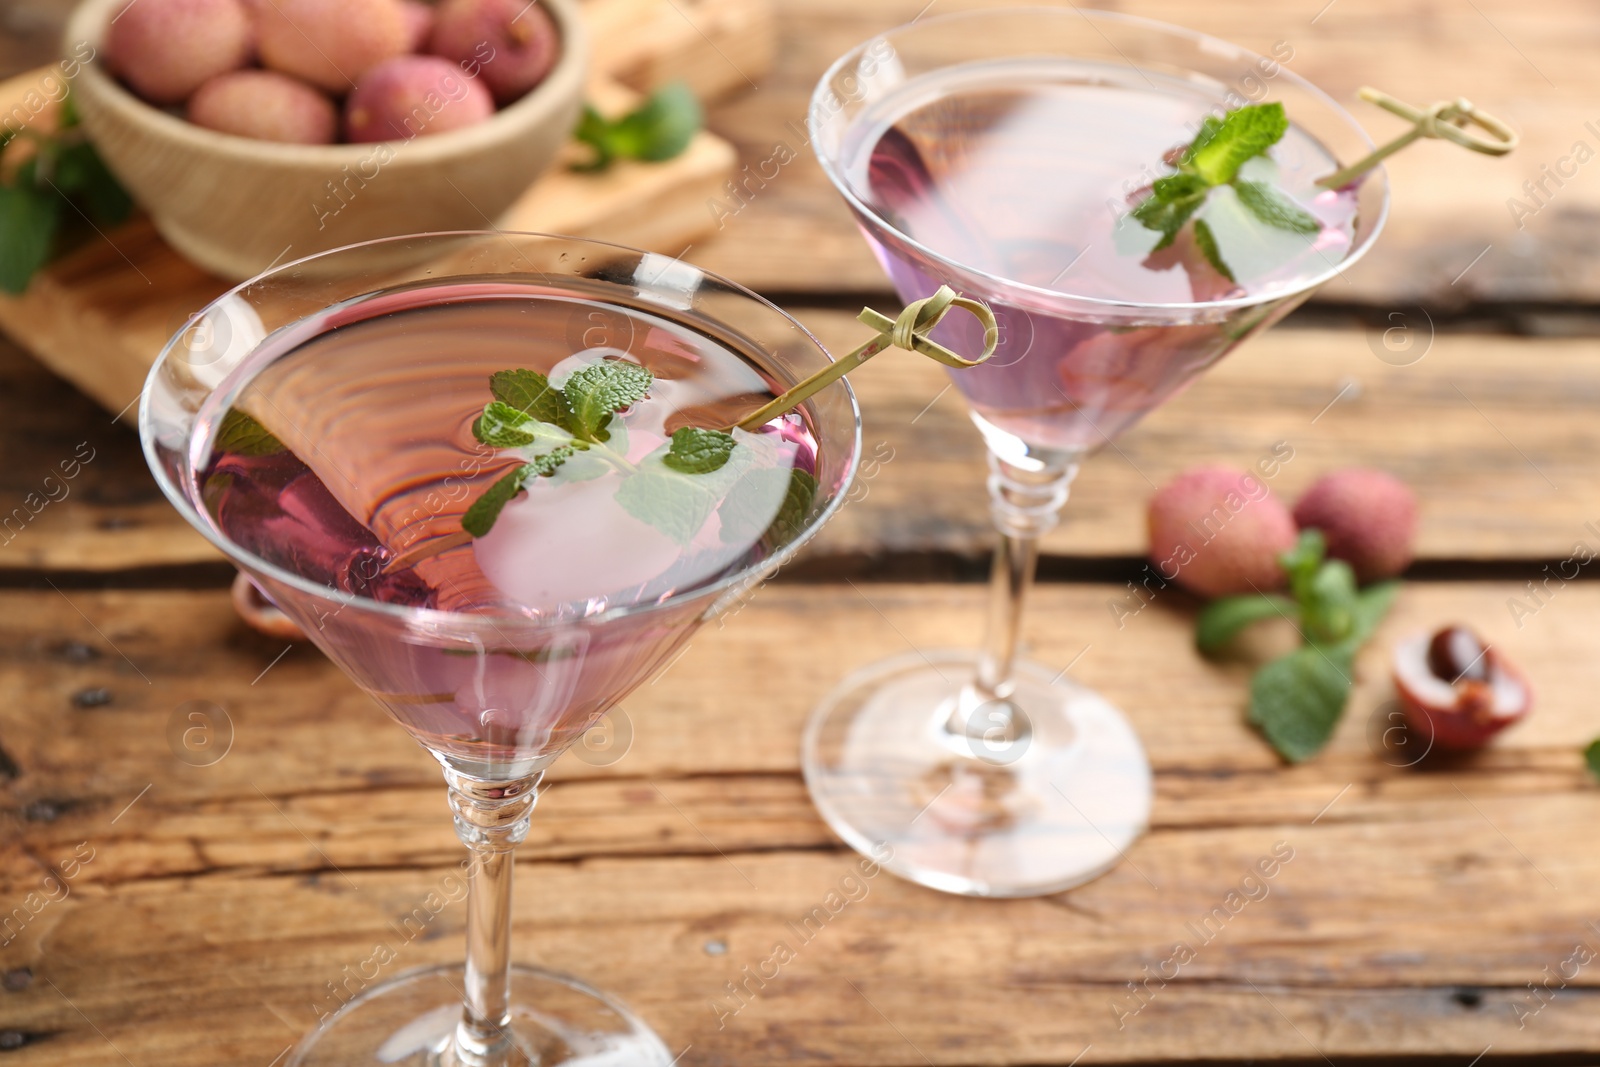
x: 1297, y: 701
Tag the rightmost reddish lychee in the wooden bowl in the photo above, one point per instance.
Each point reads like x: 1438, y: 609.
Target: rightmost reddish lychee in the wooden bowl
x: 510, y: 44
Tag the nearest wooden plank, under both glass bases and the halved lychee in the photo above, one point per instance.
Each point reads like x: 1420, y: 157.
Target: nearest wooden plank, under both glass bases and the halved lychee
x: 1414, y: 913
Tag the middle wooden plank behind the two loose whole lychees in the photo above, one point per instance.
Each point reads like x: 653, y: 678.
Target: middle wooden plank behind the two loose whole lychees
x: 1495, y: 434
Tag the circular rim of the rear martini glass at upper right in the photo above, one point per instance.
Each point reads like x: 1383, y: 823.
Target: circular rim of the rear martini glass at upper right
x: 1154, y: 26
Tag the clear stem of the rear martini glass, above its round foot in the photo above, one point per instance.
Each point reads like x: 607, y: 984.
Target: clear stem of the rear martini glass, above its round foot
x: 1026, y: 503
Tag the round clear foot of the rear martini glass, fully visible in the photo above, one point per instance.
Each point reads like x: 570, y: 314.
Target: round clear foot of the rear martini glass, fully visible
x: 1031, y: 797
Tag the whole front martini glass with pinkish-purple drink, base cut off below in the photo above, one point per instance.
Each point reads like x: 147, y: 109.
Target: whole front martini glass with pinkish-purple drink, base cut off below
x: 367, y: 367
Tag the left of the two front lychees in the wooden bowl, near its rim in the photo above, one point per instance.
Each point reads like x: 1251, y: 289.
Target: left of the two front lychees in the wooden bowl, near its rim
x: 266, y: 106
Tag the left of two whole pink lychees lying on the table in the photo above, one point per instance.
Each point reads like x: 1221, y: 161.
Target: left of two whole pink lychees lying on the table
x: 1220, y: 532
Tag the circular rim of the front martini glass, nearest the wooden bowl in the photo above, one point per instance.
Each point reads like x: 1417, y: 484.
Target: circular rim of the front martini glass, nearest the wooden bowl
x: 436, y: 618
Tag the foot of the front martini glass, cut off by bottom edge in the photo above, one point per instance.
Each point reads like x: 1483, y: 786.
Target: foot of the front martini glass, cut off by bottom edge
x: 412, y: 1021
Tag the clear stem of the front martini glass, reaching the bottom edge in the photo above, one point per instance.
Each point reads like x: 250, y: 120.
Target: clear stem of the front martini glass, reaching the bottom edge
x: 492, y: 820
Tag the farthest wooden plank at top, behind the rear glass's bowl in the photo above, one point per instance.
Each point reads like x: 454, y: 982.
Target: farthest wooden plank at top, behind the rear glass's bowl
x: 1529, y: 65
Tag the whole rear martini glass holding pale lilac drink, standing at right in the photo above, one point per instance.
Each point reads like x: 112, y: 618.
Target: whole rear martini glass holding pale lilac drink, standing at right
x: 1001, y: 153
